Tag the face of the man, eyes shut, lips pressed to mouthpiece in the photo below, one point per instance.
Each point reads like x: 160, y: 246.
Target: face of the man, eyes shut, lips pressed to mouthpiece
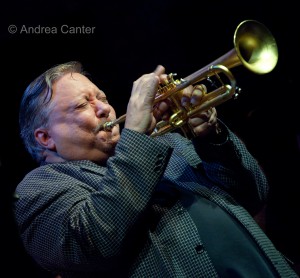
x: 77, y: 108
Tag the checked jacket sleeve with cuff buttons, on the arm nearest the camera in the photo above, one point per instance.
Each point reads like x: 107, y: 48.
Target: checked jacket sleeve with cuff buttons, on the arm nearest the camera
x: 79, y: 218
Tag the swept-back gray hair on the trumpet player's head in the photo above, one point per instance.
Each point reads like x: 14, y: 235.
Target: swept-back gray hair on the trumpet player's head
x: 34, y: 105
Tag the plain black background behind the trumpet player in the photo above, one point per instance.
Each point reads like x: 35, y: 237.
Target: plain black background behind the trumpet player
x: 131, y: 38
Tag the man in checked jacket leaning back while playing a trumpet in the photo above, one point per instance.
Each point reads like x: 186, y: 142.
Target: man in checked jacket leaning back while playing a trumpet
x: 105, y: 204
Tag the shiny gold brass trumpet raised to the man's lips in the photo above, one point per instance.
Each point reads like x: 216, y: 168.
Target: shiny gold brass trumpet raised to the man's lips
x: 254, y: 47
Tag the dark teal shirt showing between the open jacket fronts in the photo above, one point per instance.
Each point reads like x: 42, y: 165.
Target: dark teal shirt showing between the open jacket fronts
x: 228, y: 244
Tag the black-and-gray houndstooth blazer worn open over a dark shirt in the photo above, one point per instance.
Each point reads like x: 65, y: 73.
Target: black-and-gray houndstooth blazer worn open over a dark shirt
x: 79, y: 219
